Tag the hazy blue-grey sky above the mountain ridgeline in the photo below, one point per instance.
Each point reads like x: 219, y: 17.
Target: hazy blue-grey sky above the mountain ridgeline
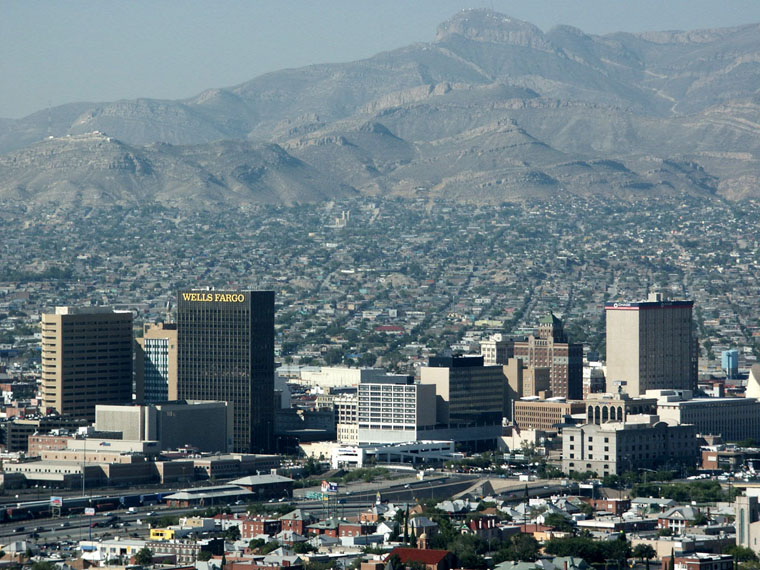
x: 54, y: 52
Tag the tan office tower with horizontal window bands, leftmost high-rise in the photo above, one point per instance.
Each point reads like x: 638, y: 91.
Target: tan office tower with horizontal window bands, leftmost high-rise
x: 86, y: 359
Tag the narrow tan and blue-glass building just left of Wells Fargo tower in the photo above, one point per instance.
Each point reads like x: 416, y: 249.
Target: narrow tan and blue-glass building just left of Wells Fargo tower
x: 156, y: 364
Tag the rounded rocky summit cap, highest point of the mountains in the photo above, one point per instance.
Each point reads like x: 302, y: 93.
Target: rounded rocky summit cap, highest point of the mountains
x: 489, y: 26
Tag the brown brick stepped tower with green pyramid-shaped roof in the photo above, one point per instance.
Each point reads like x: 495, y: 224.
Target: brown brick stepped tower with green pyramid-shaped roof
x: 552, y: 349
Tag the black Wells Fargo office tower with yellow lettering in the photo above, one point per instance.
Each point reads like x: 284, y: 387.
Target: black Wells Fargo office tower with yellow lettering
x: 225, y: 351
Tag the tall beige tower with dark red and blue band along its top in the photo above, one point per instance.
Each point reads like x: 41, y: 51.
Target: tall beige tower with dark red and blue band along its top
x: 650, y: 345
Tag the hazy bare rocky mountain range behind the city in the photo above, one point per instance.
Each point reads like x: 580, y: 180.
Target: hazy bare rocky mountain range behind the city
x: 492, y: 110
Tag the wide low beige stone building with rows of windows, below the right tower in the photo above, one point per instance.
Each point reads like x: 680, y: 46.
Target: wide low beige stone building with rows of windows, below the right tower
x: 617, y: 447
